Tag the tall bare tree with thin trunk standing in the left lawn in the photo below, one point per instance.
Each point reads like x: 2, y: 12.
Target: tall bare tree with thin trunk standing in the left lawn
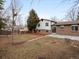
x: 11, y: 14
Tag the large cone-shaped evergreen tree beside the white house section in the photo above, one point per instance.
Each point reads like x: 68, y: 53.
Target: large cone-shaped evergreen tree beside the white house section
x: 32, y: 21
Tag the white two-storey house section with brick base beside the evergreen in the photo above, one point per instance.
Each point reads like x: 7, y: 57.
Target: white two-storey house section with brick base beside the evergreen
x: 44, y: 26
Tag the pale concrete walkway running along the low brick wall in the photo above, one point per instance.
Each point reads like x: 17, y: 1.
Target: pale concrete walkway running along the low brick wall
x: 64, y: 36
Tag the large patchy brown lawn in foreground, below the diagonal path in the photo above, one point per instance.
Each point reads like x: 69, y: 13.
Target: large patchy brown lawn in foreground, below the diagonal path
x: 45, y: 48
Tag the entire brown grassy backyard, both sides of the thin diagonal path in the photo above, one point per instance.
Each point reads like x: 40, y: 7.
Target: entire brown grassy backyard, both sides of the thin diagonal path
x: 25, y: 47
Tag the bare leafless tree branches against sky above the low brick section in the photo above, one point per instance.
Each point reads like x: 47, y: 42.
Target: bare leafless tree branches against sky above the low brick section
x: 72, y: 14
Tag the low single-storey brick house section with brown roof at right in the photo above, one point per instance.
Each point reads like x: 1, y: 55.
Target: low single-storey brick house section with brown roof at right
x: 67, y: 28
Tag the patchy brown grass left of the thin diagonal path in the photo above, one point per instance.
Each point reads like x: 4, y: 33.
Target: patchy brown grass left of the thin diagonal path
x: 6, y: 40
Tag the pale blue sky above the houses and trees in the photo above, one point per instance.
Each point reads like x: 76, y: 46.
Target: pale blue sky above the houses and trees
x: 46, y: 9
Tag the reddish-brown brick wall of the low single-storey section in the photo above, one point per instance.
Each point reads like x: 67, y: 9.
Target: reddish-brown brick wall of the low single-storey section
x: 67, y: 30
